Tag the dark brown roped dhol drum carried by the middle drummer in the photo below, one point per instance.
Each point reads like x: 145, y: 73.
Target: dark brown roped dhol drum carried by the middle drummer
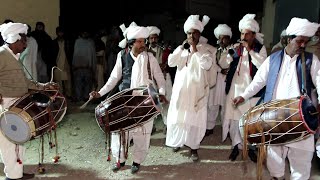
x: 128, y: 109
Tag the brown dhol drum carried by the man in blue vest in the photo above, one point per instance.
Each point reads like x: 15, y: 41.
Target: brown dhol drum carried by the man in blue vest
x: 279, y: 121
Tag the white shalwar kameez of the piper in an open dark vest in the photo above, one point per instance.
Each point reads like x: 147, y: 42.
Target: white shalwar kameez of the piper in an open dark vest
x: 240, y: 81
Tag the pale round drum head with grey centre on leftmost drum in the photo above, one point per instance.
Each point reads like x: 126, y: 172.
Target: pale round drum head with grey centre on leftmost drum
x: 15, y: 128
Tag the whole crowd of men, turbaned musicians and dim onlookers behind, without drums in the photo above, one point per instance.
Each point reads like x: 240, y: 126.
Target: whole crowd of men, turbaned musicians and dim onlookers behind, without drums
x: 229, y: 80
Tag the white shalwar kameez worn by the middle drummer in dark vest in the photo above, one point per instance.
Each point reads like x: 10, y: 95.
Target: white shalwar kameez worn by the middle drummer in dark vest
x: 139, y: 77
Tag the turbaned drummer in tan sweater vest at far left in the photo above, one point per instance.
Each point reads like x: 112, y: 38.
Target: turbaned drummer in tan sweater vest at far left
x: 14, y: 84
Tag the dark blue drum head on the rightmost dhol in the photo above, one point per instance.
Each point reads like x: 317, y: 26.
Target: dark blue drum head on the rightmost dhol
x: 309, y: 112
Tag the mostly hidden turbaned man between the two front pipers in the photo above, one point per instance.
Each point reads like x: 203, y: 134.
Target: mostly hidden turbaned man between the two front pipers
x: 217, y: 96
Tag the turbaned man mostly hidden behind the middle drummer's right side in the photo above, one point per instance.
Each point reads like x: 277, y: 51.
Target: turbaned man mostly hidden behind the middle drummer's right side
x: 157, y: 51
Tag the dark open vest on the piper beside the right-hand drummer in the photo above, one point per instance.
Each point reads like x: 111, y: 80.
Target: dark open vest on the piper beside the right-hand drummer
x: 234, y: 64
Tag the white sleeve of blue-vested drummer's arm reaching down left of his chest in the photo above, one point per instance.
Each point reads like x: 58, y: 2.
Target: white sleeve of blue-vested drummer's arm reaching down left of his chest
x: 259, y: 80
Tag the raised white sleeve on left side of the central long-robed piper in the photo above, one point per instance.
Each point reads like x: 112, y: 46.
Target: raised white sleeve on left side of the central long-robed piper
x: 178, y: 58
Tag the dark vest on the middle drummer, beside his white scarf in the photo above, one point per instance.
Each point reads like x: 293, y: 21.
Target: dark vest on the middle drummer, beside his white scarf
x: 127, y: 63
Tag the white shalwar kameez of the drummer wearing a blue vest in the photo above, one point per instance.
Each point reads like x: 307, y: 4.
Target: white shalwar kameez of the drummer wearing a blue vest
x: 299, y: 153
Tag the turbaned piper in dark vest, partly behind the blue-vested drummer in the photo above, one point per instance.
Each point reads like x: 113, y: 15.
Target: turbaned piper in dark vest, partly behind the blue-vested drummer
x: 250, y: 54
